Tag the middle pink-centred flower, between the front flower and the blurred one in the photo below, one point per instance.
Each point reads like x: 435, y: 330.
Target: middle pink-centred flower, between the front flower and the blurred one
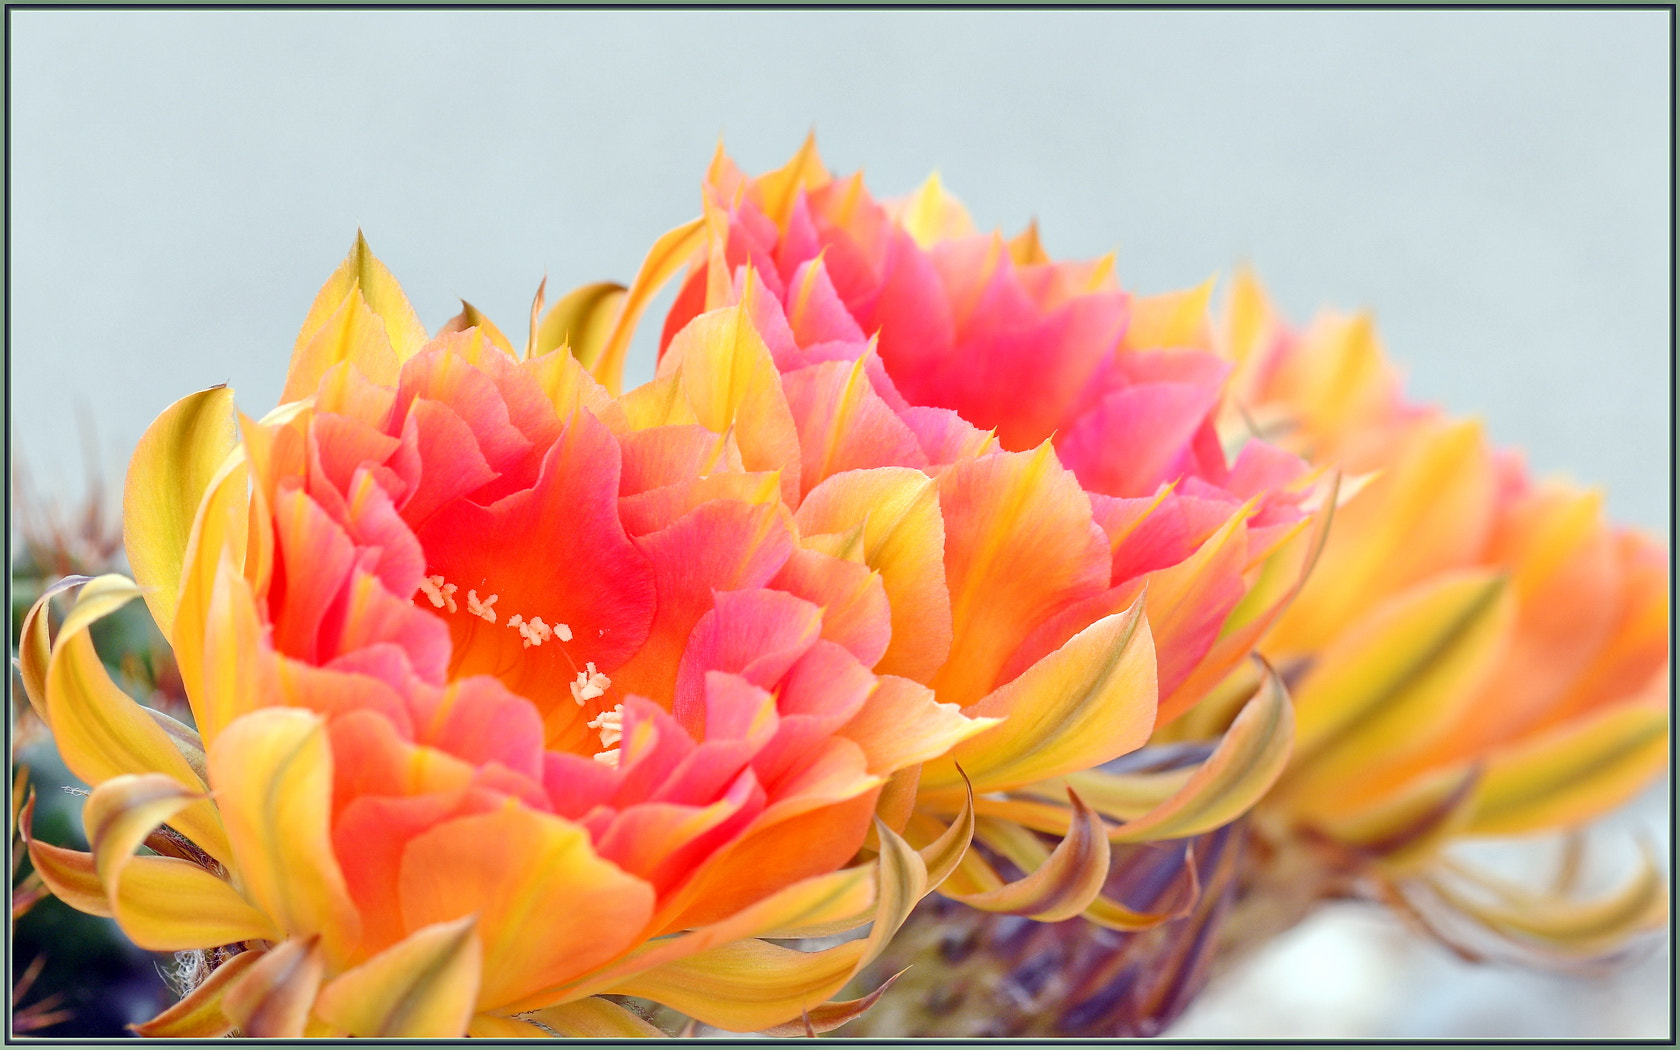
x: 1086, y: 537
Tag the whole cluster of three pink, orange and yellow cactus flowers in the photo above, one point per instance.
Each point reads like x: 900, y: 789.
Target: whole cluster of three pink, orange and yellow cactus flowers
x: 513, y: 691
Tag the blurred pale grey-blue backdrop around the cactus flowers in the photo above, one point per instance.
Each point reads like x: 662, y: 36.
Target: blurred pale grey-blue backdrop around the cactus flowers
x: 1494, y: 186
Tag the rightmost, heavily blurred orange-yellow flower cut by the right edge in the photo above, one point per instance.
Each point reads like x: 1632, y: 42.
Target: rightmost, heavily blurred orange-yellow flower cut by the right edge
x: 1476, y: 654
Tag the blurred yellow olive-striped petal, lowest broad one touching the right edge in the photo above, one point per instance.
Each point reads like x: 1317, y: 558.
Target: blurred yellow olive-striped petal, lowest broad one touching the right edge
x: 1575, y: 774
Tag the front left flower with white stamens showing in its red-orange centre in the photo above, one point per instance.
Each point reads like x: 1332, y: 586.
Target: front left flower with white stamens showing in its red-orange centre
x: 501, y: 703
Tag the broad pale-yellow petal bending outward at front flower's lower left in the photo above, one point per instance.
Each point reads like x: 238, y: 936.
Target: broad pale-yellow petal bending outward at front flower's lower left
x: 273, y: 777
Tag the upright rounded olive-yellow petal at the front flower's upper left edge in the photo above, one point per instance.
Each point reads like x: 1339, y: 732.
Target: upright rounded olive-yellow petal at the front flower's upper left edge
x: 167, y: 478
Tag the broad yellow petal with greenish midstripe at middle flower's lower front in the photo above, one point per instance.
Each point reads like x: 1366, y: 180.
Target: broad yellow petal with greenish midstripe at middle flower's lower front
x: 1089, y: 701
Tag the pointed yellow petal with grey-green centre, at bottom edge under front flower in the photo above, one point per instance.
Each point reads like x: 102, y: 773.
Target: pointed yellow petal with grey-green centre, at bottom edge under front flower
x: 423, y: 987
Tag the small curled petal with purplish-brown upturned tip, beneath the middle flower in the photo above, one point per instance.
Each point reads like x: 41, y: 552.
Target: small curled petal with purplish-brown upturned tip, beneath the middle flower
x: 1058, y: 886
